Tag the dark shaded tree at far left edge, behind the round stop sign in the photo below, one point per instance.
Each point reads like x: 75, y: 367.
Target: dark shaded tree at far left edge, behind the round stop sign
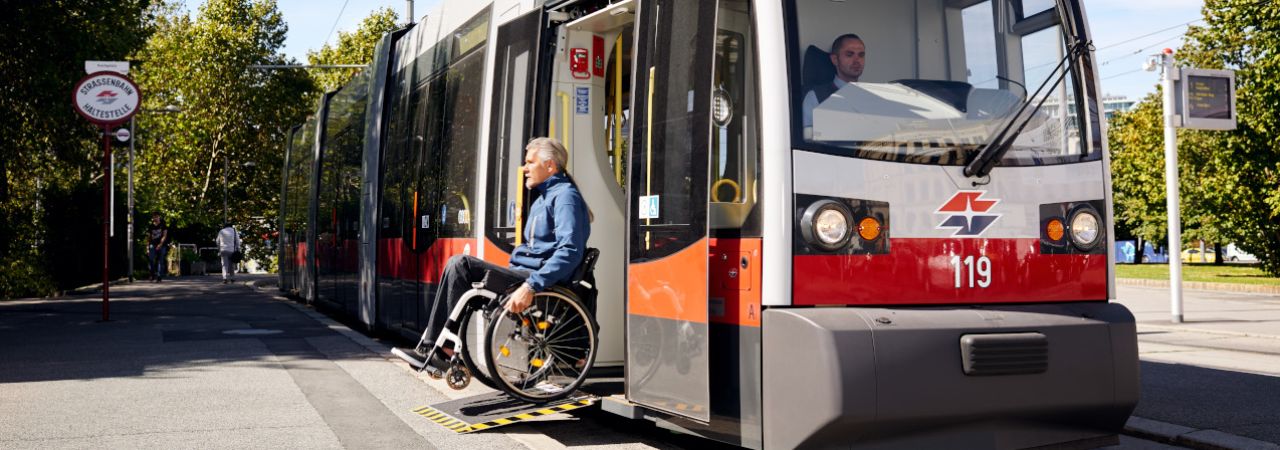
x: 52, y: 154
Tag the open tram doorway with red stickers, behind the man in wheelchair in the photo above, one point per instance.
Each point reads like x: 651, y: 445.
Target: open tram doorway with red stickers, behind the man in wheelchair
x: 566, y: 75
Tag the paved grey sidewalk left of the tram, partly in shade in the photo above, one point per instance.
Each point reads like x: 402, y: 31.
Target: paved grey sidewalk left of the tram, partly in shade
x: 194, y: 364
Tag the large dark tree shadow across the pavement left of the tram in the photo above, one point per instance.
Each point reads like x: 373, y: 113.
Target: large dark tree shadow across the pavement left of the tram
x: 180, y: 324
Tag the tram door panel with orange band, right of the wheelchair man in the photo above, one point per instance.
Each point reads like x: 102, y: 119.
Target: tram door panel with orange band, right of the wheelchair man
x: 668, y: 269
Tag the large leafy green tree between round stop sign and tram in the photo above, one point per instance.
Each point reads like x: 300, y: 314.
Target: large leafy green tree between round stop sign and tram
x: 234, y: 120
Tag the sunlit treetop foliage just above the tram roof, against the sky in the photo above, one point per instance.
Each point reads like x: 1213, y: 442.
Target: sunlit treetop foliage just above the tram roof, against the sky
x: 355, y: 48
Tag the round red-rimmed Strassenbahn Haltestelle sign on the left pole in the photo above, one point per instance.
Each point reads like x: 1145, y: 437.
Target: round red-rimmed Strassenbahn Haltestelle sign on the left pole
x: 107, y: 98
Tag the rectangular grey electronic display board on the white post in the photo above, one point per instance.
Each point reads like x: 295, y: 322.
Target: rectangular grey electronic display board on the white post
x: 1206, y: 99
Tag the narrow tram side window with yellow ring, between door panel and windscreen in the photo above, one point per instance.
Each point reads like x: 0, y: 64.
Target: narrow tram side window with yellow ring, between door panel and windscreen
x: 735, y: 148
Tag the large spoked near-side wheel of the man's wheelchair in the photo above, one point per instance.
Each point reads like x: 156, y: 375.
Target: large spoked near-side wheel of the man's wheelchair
x: 545, y: 353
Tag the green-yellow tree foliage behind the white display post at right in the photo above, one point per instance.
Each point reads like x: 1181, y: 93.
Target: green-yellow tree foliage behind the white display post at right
x: 1231, y: 181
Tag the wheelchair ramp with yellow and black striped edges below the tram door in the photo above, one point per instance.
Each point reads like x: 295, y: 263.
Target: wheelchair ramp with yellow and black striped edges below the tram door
x: 496, y: 410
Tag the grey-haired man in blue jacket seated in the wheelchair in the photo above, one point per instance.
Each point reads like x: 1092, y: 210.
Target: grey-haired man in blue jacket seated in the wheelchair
x: 556, y: 232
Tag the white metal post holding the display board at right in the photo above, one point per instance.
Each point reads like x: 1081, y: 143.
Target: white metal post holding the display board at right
x: 1176, y: 233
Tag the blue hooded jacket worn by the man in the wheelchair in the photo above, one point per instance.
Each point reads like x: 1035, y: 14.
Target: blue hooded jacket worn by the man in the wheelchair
x: 556, y: 232
